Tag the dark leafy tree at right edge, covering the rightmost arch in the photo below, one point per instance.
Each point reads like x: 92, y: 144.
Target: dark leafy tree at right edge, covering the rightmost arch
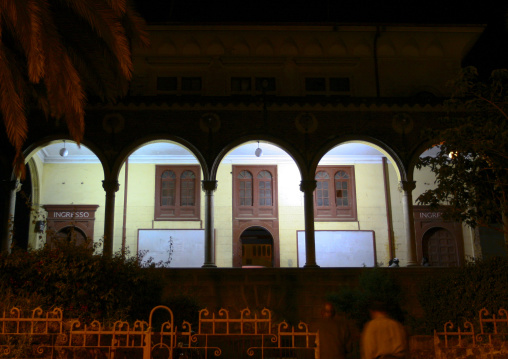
x: 471, y: 167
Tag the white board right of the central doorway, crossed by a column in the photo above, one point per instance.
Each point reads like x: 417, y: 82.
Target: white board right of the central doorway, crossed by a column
x: 340, y: 248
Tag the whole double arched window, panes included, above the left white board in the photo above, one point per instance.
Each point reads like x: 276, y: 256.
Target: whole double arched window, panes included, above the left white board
x: 177, y: 192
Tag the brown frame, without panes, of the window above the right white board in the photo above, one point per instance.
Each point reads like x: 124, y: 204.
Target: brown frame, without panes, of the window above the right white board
x: 332, y: 212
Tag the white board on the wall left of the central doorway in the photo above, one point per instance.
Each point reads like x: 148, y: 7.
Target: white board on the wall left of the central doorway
x: 188, y: 246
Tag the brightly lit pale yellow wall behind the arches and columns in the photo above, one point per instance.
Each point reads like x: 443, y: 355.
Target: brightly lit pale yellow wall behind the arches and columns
x: 82, y: 184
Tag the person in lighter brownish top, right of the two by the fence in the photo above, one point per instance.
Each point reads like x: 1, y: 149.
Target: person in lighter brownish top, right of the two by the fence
x: 383, y: 337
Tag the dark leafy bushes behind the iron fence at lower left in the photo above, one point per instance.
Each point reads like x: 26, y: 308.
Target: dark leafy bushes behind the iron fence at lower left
x: 84, y: 284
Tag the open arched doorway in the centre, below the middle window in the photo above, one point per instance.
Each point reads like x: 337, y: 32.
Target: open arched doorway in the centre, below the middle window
x: 257, y: 247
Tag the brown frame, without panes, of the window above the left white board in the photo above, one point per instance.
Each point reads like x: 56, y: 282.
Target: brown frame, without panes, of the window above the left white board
x: 177, y: 212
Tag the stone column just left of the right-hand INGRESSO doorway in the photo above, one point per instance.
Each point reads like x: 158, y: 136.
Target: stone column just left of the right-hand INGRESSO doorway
x: 409, y: 223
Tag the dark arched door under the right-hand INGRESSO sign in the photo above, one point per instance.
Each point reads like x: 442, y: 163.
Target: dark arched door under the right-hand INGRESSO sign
x: 440, y: 248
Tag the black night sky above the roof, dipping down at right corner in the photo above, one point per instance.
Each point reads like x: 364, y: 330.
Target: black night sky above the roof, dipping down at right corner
x: 491, y: 52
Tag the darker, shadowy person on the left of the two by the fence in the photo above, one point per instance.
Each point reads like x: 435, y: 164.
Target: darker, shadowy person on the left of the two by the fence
x: 334, y: 337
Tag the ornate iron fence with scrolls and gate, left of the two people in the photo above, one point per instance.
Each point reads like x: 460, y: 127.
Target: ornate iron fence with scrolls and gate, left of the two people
x: 39, y: 334
